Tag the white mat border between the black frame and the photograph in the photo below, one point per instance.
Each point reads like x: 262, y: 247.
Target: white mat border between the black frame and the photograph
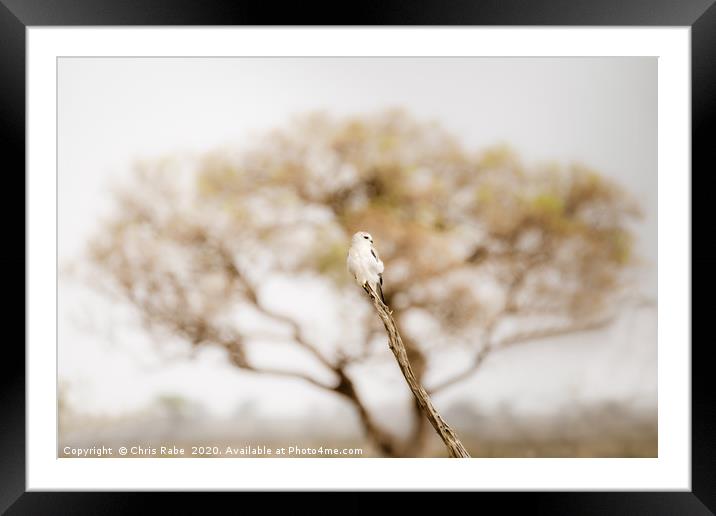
x: 669, y: 471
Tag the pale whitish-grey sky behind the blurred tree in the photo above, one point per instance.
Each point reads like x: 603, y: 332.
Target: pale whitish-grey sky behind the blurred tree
x: 599, y: 111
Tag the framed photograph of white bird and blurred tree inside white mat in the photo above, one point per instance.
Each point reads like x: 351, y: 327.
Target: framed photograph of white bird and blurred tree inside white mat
x: 357, y: 257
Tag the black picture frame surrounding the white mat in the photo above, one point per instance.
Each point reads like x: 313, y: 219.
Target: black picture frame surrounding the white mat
x: 17, y: 15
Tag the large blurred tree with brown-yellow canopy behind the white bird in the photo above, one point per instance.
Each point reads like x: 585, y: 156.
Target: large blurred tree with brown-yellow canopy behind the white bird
x: 490, y: 252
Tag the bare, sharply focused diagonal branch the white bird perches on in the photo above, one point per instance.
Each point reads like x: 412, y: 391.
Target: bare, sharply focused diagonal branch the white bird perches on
x: 446, y: 433
